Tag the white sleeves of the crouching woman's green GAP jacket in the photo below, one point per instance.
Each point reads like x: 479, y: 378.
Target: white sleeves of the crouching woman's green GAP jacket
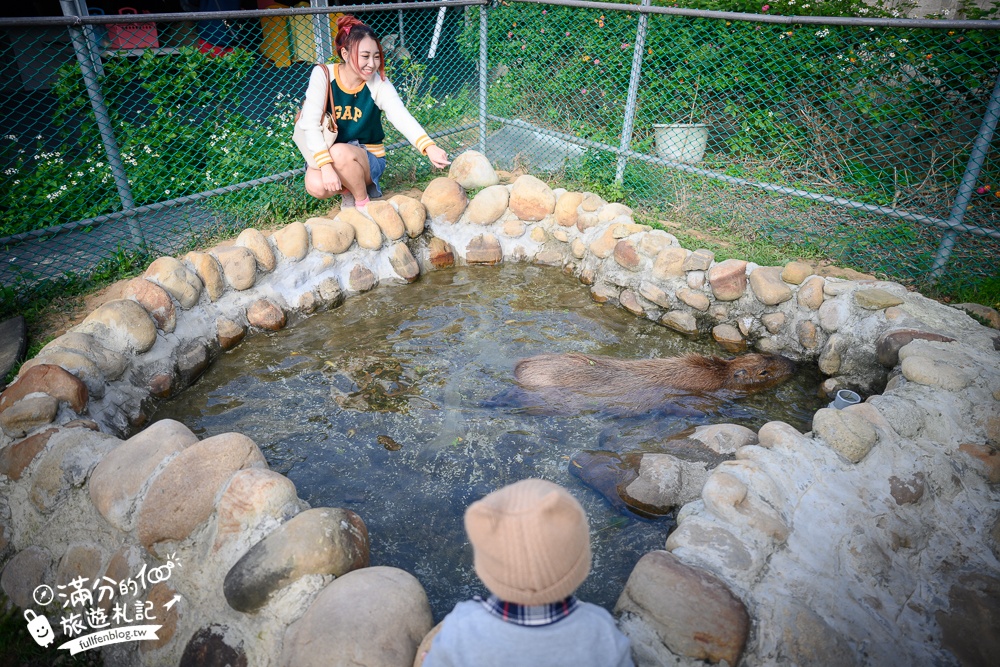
x: 383, y: 94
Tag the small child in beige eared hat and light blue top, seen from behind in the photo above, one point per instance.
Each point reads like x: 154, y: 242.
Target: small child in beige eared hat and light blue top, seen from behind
x: 531, y: 548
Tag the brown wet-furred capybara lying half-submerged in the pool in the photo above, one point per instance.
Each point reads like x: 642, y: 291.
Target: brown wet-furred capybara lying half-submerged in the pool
x: 635, y: 386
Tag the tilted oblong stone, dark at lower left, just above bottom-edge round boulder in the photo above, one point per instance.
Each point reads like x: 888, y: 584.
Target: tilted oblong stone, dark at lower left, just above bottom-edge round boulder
x: 317, y: 541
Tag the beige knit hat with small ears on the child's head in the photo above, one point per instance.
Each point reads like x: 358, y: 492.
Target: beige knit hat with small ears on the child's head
x: 530, y: 541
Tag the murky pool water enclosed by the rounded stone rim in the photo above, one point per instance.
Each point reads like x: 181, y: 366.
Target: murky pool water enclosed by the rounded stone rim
x: 377, y: 406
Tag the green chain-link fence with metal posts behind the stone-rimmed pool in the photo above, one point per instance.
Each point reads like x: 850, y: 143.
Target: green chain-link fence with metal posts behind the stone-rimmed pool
x: 865, y: 141
